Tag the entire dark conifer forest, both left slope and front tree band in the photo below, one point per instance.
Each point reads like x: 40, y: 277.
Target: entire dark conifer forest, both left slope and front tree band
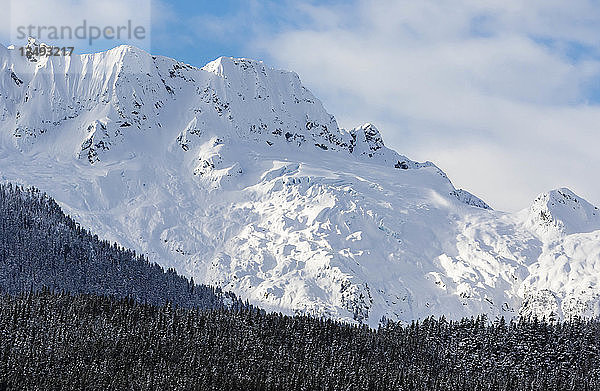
x: 118, y: 333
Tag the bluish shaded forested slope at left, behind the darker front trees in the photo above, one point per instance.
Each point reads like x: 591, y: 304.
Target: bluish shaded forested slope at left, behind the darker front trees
x: 41, y: 247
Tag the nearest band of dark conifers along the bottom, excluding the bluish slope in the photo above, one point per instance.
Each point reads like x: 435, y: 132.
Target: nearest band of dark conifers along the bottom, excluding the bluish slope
x: 59, y: 341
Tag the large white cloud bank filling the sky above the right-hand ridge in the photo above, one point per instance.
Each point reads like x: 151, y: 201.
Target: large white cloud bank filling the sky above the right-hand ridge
x: 495, y: 92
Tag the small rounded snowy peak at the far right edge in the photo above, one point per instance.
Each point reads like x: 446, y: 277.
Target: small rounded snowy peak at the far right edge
x: 560, y: 211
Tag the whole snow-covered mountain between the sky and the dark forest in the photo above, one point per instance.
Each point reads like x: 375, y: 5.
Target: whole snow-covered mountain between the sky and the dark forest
x: 236, y: 175
